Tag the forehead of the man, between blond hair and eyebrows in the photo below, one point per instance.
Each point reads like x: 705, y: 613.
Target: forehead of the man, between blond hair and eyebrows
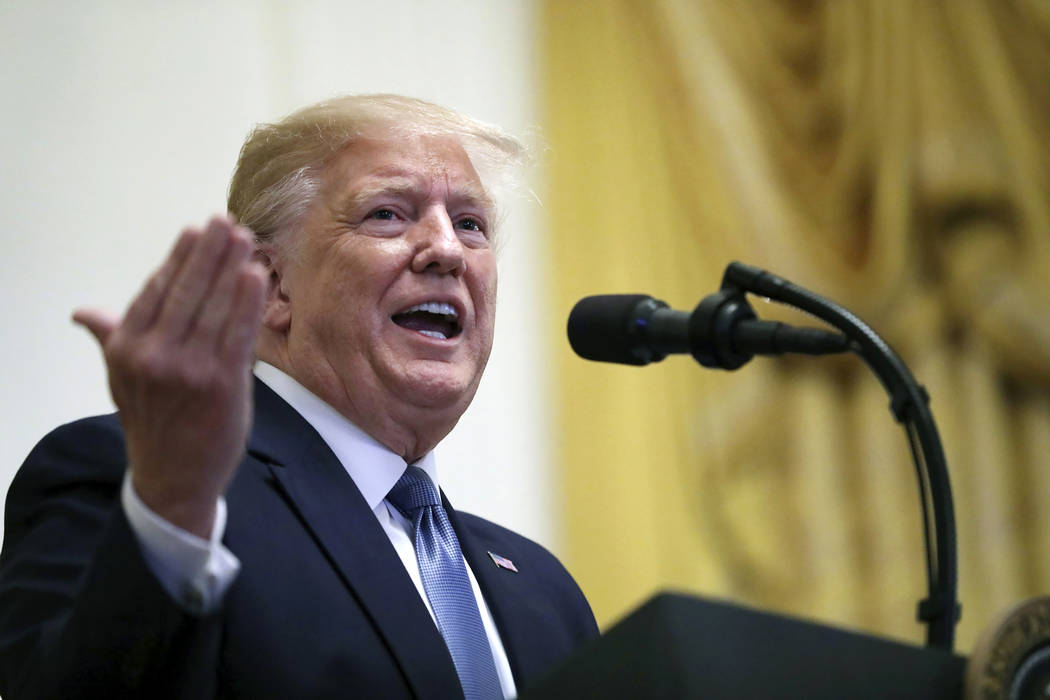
x: 418, y: 164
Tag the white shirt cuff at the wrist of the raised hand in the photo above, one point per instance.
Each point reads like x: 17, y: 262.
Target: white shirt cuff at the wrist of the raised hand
x: 196, y: 572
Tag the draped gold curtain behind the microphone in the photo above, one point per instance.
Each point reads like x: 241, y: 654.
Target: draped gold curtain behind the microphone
x: 891, y: 155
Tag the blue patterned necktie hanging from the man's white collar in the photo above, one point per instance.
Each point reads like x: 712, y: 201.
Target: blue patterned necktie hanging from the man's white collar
x: 447, y: 584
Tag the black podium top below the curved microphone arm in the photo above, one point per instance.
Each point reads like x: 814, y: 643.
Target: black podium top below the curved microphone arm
x: 682, y: 647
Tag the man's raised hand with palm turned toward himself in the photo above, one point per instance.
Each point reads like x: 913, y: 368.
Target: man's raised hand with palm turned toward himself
x: 180, y: 371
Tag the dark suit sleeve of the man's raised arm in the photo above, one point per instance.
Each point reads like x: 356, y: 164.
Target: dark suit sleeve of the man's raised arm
x: 81, y: 614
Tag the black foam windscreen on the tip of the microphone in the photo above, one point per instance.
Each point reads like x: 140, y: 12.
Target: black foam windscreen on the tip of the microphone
x: 600, y: 328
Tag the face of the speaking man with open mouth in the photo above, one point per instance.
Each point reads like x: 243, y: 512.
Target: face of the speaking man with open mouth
x: 391, y: 287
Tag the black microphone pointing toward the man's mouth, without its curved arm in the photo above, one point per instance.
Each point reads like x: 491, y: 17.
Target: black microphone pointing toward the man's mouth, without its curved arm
x: 721, y: 333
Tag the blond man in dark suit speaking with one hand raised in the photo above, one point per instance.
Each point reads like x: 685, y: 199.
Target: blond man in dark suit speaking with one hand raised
x: 150, y: 555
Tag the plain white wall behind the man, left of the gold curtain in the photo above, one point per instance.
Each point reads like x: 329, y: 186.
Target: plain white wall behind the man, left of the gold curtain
x: 121, y: 123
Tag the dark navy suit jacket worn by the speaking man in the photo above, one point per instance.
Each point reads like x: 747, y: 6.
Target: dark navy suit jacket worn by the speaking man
x: 323, y: 606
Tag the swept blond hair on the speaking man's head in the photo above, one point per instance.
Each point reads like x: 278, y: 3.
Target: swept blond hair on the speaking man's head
x: 278, y: 177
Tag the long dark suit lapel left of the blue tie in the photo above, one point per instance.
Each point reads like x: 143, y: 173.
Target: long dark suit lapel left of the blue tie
x: 346, y: 528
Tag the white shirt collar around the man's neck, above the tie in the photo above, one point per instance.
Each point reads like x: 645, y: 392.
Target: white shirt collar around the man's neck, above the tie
x: 373, y: 468
